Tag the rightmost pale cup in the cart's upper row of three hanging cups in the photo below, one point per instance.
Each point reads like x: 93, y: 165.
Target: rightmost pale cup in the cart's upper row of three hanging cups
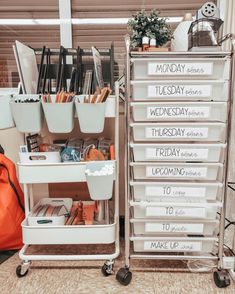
x: 91, y: 116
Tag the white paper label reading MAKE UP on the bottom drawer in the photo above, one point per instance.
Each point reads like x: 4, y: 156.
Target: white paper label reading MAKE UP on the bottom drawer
x: 172, y: 245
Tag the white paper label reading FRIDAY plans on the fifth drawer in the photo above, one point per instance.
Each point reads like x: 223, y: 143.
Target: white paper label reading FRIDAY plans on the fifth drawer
x: 176, y: 153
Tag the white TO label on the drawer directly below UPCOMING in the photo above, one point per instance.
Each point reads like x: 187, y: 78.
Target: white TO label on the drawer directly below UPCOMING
x: 175, y: 191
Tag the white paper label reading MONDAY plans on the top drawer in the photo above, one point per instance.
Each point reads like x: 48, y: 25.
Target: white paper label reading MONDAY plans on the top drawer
x: 180, y: 68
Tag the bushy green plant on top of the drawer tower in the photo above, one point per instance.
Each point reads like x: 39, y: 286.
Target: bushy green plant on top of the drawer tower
x: 150, y: 26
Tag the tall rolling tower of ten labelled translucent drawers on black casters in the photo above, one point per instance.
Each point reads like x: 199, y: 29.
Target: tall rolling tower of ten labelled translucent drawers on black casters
x: 178, y: 122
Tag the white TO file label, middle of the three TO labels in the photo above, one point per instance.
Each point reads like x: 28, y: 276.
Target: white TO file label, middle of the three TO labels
x: 171, y: 211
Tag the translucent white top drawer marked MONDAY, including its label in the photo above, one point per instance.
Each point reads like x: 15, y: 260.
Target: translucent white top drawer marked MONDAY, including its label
x: 190, y: 68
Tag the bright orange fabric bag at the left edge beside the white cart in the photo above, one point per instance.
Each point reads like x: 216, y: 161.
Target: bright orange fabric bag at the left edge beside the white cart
x: 11, y: 206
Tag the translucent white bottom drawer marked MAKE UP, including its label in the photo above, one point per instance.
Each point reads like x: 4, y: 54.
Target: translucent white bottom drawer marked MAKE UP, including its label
x: 173, y: 244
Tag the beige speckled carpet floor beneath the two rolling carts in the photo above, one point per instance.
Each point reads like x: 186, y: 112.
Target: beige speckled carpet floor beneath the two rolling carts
x: 149, y: 277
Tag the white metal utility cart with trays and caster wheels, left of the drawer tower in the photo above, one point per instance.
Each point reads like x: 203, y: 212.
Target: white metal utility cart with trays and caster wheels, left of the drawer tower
x: 107, y: 233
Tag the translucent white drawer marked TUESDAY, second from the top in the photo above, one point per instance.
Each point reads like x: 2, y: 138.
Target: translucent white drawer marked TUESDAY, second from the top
x: 180, y: 90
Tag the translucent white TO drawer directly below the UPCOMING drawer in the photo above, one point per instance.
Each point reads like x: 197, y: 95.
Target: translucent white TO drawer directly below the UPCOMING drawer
x: 175, y: 191
